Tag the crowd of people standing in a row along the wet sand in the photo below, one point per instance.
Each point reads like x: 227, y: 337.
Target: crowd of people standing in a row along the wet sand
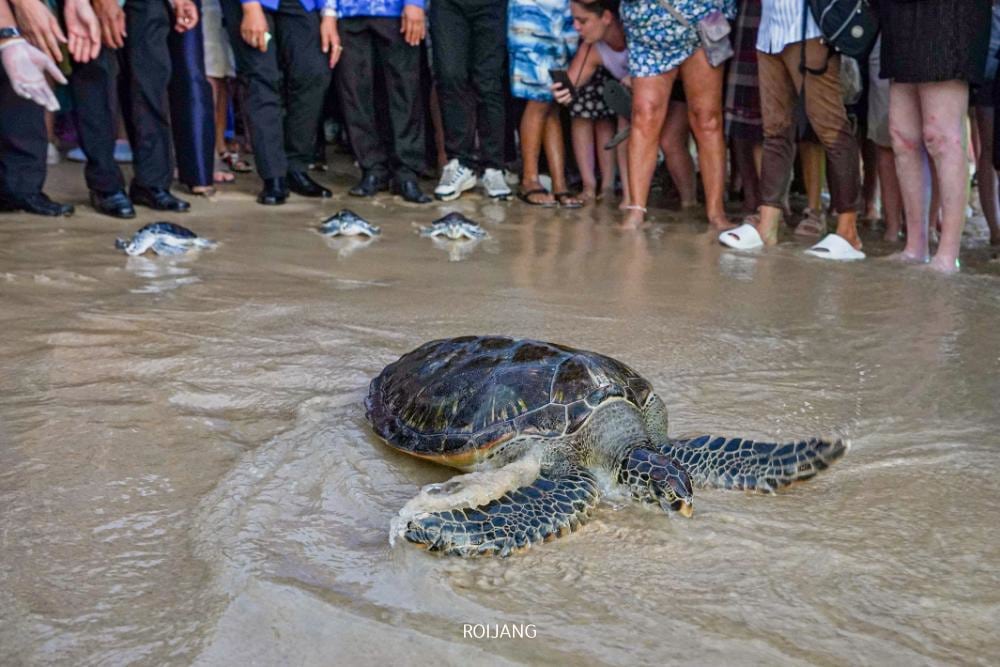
x: 471, y: 87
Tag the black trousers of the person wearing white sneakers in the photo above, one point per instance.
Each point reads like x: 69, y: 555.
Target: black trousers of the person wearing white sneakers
x: 469, y: 44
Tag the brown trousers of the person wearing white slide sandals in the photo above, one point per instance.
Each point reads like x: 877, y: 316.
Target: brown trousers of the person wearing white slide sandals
x: 780, y: 87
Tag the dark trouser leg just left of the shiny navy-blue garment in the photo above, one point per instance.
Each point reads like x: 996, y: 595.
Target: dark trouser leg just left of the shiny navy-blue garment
x: 148, y: 71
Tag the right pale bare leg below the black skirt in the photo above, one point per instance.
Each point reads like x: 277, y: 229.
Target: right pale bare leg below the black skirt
x: 946, y: 105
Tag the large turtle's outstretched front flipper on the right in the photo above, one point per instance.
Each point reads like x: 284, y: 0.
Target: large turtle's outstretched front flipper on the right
x: 736, y: 463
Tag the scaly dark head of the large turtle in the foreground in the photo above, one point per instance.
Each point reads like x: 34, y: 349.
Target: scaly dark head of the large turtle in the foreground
x: 652, y: 477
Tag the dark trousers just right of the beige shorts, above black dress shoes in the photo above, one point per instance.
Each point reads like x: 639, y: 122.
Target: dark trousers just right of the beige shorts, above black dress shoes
x: 291, y: 77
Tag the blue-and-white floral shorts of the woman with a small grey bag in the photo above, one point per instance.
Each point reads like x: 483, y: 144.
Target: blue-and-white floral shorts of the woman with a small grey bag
x: 658, y: 42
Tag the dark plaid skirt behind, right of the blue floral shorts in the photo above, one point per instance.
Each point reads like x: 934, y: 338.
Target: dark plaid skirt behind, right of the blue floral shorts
x: 742, y: 97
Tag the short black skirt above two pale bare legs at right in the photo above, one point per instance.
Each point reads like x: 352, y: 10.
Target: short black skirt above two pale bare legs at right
x: 934, y: 40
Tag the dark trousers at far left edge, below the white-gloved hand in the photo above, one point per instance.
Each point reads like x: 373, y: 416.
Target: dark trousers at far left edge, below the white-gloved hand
x: 23, y: 142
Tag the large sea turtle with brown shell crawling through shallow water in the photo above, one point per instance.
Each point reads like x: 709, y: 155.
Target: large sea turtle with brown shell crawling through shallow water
x: 547, y: 430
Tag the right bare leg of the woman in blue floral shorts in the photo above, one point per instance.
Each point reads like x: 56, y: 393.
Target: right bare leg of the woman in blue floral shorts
x: 703, y: 87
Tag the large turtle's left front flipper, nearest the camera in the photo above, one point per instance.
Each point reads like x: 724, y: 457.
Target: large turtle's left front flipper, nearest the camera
x: 555, y: 503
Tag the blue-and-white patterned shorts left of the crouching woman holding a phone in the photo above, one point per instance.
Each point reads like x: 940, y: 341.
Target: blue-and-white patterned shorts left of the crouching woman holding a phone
x: 540, y: 37
